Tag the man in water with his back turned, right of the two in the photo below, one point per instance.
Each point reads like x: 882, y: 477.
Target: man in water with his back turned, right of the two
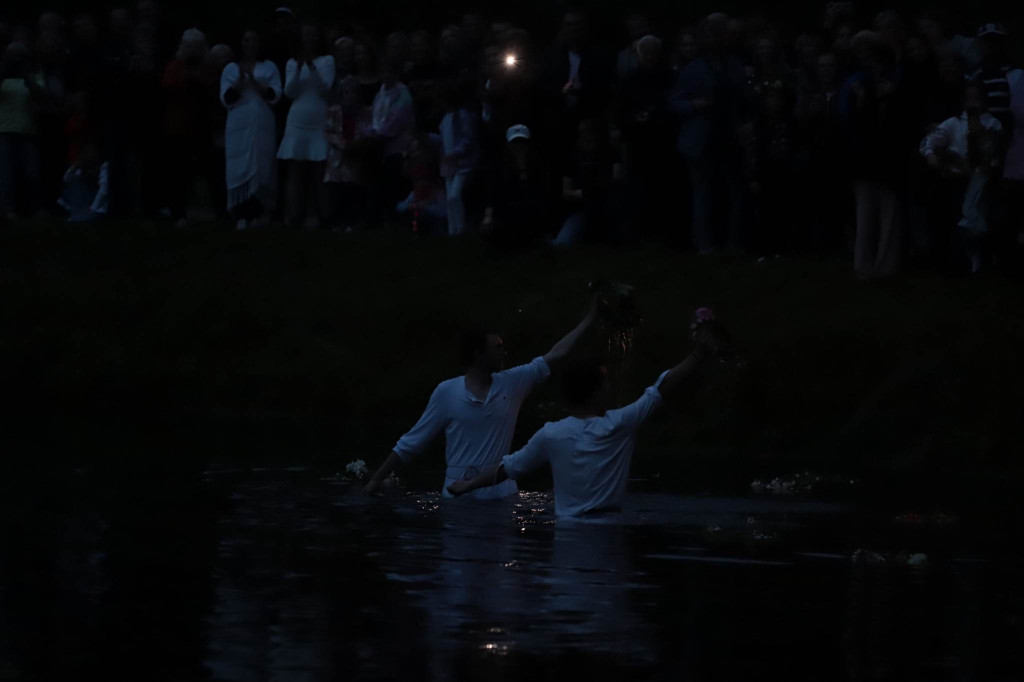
x: 590, y: 452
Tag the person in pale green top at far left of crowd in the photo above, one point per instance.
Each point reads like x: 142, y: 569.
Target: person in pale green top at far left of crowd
x: 22, y: 95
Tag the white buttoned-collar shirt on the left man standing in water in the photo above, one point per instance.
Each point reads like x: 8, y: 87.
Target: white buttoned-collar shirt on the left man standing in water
x: 478, y: 434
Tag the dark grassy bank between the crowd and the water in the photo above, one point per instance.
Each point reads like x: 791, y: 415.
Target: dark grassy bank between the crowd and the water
x: 332, y: 345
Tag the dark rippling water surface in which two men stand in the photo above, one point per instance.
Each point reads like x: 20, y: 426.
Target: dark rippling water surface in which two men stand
x: 286, y: 574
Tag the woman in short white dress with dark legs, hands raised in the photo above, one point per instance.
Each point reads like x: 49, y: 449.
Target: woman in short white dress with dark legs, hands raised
x: 308, y: 83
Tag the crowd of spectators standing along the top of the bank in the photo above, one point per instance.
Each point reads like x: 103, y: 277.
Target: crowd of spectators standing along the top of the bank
x: 894, y: 139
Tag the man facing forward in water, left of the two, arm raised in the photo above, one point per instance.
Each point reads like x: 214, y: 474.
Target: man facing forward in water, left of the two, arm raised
x: 479, y: 411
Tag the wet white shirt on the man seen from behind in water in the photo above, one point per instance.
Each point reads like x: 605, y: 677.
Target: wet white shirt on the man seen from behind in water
x: 589, y: 458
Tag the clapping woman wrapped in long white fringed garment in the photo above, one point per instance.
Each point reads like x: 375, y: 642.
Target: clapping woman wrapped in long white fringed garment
x: 249, y: 89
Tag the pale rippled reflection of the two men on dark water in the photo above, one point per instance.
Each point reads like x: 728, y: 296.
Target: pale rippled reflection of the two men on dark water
x: 507, y: 580
